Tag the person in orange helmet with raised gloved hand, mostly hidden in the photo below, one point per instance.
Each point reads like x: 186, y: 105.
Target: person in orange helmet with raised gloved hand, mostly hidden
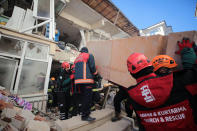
x: 164, y: 64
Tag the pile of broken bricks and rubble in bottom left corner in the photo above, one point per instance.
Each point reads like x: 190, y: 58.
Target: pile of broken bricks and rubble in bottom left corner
x: 16, y: 115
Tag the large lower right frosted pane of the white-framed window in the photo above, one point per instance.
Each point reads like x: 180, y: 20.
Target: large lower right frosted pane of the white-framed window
x: 32, y: 77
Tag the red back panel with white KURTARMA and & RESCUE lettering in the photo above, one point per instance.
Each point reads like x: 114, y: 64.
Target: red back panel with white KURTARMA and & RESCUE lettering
x: 172, y: 116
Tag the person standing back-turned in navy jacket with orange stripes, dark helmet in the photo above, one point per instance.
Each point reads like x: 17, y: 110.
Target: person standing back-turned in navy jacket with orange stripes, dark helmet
x: 85, y: 72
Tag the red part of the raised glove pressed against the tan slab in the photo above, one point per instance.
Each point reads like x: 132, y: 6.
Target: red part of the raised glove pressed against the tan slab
x: 184, y: 44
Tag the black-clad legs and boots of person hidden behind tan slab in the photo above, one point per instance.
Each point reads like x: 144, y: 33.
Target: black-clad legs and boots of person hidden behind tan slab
x: 121, y: 95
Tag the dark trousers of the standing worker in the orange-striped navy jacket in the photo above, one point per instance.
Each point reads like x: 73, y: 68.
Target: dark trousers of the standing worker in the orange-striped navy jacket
x: 86, y: 93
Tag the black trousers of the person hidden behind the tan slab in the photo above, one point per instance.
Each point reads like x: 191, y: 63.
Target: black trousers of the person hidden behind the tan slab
x: 119, y: 97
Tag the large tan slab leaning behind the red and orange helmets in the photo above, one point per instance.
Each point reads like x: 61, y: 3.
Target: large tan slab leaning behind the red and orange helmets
x: 111, y: 55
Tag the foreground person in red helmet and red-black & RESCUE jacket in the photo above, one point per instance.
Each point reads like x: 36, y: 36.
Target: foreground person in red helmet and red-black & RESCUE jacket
x: 162, y: 103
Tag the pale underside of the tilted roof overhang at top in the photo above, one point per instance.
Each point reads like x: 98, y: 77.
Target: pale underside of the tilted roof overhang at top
x: 86, y: 18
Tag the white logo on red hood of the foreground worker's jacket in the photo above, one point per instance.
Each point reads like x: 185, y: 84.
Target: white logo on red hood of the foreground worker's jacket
x: 146, y: 93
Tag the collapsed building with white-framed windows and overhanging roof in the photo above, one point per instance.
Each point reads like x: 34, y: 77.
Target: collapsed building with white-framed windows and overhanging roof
x: 28, y: 56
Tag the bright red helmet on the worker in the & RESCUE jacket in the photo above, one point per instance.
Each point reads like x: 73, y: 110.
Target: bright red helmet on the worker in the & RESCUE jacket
x: 136, y: 62
